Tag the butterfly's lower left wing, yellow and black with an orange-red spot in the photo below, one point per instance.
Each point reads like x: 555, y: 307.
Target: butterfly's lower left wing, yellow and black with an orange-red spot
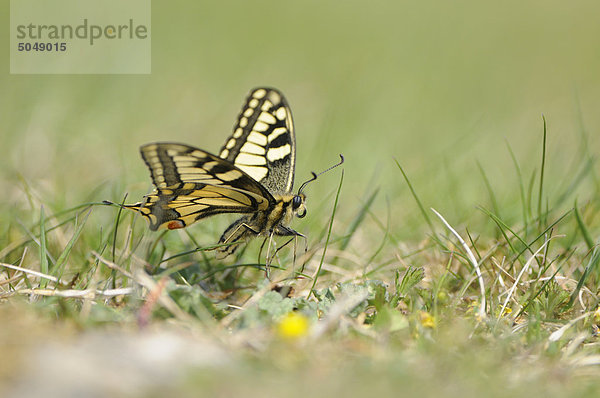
x: 192, y: 184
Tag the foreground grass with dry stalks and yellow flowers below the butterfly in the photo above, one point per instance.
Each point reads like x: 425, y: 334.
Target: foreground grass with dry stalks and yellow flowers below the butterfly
x: 517, y: 307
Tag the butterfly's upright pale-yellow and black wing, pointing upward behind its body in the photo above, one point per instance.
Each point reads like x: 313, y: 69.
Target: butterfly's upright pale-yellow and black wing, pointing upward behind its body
x: 263, y: 143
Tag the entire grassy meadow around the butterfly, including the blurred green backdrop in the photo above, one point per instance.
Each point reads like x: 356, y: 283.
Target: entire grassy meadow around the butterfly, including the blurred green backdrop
x: 458, y: 256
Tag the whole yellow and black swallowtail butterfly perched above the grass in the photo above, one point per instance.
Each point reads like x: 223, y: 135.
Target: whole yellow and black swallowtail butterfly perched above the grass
x: 253, y: 175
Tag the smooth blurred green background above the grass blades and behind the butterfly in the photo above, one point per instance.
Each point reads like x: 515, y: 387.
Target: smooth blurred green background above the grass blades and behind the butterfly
x: 435, y: 85
